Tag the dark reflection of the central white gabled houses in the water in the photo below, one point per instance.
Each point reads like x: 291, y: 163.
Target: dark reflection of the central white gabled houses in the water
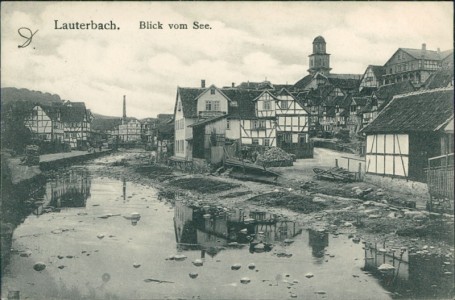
x: 212, y: 228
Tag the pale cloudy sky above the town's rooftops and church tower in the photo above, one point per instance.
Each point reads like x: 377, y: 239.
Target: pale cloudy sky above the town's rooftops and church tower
x: 249, y: 41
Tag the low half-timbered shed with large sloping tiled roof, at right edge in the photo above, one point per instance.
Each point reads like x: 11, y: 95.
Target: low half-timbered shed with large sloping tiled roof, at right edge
x: 407, y: 132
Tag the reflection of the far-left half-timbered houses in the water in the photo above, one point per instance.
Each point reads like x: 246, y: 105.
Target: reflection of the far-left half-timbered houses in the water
x: 70, y: 189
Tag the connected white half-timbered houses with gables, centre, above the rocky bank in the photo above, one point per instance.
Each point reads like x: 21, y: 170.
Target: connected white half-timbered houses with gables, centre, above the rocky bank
x: 210, y: 117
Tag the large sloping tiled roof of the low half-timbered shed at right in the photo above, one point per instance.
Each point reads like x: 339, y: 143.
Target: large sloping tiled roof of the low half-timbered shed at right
x: 415, y: 112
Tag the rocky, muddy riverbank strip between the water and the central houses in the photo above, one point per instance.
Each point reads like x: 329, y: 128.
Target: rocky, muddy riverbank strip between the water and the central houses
x: 360, y: 210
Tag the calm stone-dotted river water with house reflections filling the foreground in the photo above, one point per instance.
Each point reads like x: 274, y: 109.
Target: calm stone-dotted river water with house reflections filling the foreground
x: 111, y: 238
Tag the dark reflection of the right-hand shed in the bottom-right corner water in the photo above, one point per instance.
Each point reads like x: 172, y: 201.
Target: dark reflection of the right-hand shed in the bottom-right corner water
x: 416, y: 275
